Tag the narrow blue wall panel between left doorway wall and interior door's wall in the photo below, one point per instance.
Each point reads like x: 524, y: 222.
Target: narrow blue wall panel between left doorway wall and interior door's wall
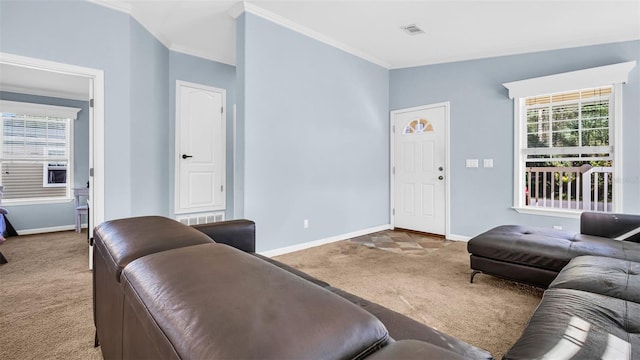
x: 150, y: 172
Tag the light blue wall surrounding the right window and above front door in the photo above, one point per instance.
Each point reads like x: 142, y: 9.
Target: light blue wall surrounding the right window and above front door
x: 482, y: 126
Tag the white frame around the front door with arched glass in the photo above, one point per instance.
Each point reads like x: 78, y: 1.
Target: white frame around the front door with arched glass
x: 447, y: 171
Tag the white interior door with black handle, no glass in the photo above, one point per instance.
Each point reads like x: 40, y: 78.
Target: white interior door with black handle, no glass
x: 200, y: 148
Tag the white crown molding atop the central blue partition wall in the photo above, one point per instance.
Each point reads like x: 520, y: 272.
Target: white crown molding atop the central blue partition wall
x: 243, y: 6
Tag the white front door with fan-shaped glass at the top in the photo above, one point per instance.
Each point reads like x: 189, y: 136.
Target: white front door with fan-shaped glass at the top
x: 419, y: 168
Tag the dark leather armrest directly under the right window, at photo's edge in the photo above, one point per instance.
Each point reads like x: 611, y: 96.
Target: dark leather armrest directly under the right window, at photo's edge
x: 614, y: 226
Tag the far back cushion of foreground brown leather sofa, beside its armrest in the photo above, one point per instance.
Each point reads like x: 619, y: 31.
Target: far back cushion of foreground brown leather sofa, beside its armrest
x: 125, y: 240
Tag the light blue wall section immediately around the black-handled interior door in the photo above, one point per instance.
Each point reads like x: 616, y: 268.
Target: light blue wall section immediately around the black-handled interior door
x: 210, y: 73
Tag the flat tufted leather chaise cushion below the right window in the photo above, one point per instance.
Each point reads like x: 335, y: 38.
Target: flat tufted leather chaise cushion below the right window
x: 546, y: 248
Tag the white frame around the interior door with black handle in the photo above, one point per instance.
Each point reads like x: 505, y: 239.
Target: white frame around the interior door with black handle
x: 178, y: 151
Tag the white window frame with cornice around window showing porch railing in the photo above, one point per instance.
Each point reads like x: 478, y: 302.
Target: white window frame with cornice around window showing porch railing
x: 611, y: 75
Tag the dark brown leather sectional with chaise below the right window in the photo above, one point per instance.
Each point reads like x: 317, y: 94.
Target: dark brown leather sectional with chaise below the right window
x: 591, y: 309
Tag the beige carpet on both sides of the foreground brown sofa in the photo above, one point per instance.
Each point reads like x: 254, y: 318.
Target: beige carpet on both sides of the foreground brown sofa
x: 46, y: 297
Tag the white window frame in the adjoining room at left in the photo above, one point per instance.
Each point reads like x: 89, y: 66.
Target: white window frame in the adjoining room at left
x: 34, y: 109
